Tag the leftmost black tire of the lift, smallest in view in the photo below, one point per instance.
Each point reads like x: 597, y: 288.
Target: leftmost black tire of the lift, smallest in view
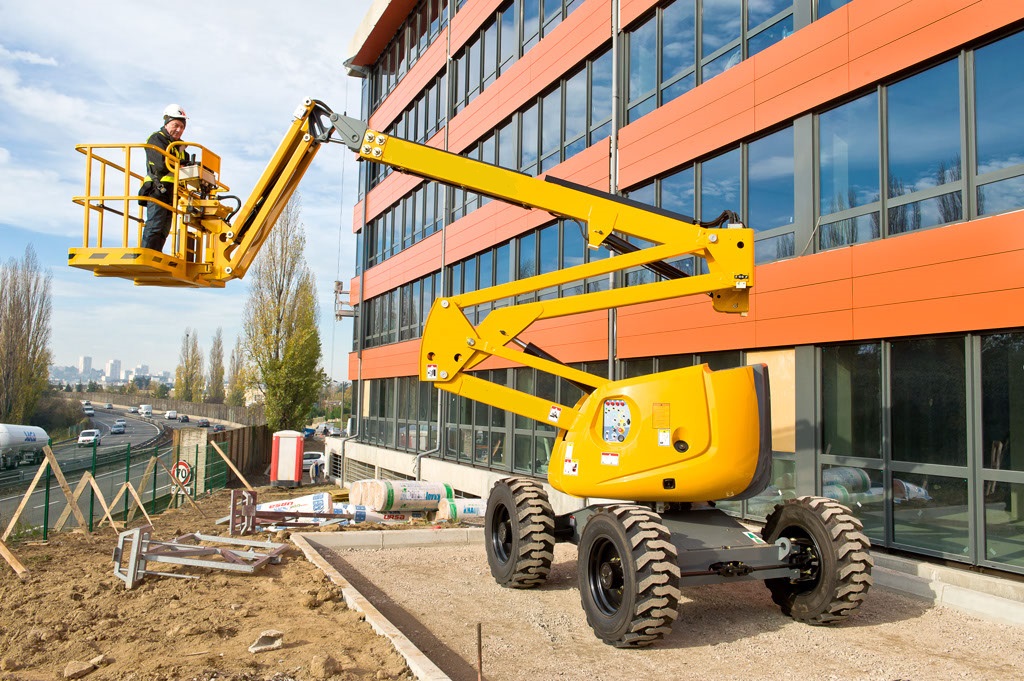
x: 520, y: 533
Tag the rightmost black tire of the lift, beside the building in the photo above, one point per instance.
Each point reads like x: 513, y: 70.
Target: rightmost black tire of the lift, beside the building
x: 835, y: 560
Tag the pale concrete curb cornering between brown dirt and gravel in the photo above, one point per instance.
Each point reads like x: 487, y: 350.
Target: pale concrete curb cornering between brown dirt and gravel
x: 419, y: 664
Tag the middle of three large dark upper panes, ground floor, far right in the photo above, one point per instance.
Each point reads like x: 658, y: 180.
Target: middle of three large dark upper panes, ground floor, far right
x: 929, y: 402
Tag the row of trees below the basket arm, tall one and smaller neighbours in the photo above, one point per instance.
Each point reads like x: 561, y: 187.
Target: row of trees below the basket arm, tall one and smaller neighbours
x: 279, y: 352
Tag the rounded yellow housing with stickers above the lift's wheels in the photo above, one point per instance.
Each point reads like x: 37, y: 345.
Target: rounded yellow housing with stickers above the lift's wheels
x: 685, y: 436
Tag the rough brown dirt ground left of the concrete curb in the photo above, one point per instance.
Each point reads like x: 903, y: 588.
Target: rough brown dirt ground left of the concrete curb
x: 71, y: 609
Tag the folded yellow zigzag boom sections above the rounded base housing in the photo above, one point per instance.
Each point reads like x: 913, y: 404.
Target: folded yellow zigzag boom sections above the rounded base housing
x: 452, y: 345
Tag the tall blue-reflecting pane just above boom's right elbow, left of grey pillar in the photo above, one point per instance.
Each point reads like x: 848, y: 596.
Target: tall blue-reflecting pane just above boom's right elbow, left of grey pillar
x: 771, y: 182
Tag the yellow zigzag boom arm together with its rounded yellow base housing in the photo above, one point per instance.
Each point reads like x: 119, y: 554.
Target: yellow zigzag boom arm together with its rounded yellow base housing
x: 685, y: 436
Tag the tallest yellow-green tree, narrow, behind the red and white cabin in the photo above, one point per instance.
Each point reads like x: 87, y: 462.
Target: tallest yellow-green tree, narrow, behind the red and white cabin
x: 282, y: 339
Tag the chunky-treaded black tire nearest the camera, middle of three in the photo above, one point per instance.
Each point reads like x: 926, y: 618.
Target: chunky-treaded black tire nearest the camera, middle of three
x: 629, y: 579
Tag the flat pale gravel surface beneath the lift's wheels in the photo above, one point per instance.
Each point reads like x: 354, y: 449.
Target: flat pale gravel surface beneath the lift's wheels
x: 438, y: 595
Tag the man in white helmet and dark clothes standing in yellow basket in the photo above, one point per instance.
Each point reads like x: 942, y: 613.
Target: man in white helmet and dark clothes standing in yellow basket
x: 160, y: 181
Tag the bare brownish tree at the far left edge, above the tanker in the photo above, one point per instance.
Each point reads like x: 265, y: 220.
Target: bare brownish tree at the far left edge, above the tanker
x: 25, y: 336
